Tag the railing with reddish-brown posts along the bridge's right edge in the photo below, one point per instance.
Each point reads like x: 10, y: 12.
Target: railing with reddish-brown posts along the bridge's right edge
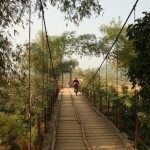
x: 124, y: 118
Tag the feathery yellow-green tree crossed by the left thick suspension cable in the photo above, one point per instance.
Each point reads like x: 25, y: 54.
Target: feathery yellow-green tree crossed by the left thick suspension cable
x: 40, y: 55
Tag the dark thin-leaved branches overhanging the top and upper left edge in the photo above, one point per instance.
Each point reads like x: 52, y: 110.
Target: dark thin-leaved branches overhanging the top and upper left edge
x: 15, y: 12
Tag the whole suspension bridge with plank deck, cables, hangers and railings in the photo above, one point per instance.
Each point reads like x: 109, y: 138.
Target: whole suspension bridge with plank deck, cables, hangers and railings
x: 86, y: 121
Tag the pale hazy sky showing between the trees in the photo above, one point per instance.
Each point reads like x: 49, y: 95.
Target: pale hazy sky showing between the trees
x: 56, y: 24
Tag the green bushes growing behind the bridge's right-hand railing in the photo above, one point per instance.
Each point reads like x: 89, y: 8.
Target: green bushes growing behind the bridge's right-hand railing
x: 125, y: 102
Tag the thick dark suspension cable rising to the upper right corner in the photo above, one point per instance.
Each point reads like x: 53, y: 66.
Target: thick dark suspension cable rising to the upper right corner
x: 114, y: 42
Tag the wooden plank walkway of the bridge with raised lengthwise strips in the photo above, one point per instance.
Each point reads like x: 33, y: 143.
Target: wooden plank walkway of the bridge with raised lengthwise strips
x: 79, y: 127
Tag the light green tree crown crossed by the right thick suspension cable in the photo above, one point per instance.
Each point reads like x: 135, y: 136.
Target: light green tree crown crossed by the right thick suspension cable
x: 122, y: 50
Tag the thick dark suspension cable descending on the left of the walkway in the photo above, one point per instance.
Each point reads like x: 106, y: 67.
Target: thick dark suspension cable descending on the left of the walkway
x: 47, y: 39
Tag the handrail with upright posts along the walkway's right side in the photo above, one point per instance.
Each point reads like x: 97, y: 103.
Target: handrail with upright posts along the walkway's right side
x: 128, y: 121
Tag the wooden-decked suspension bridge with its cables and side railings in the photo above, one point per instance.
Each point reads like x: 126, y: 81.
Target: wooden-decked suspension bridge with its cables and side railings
x: 83, y: 122
